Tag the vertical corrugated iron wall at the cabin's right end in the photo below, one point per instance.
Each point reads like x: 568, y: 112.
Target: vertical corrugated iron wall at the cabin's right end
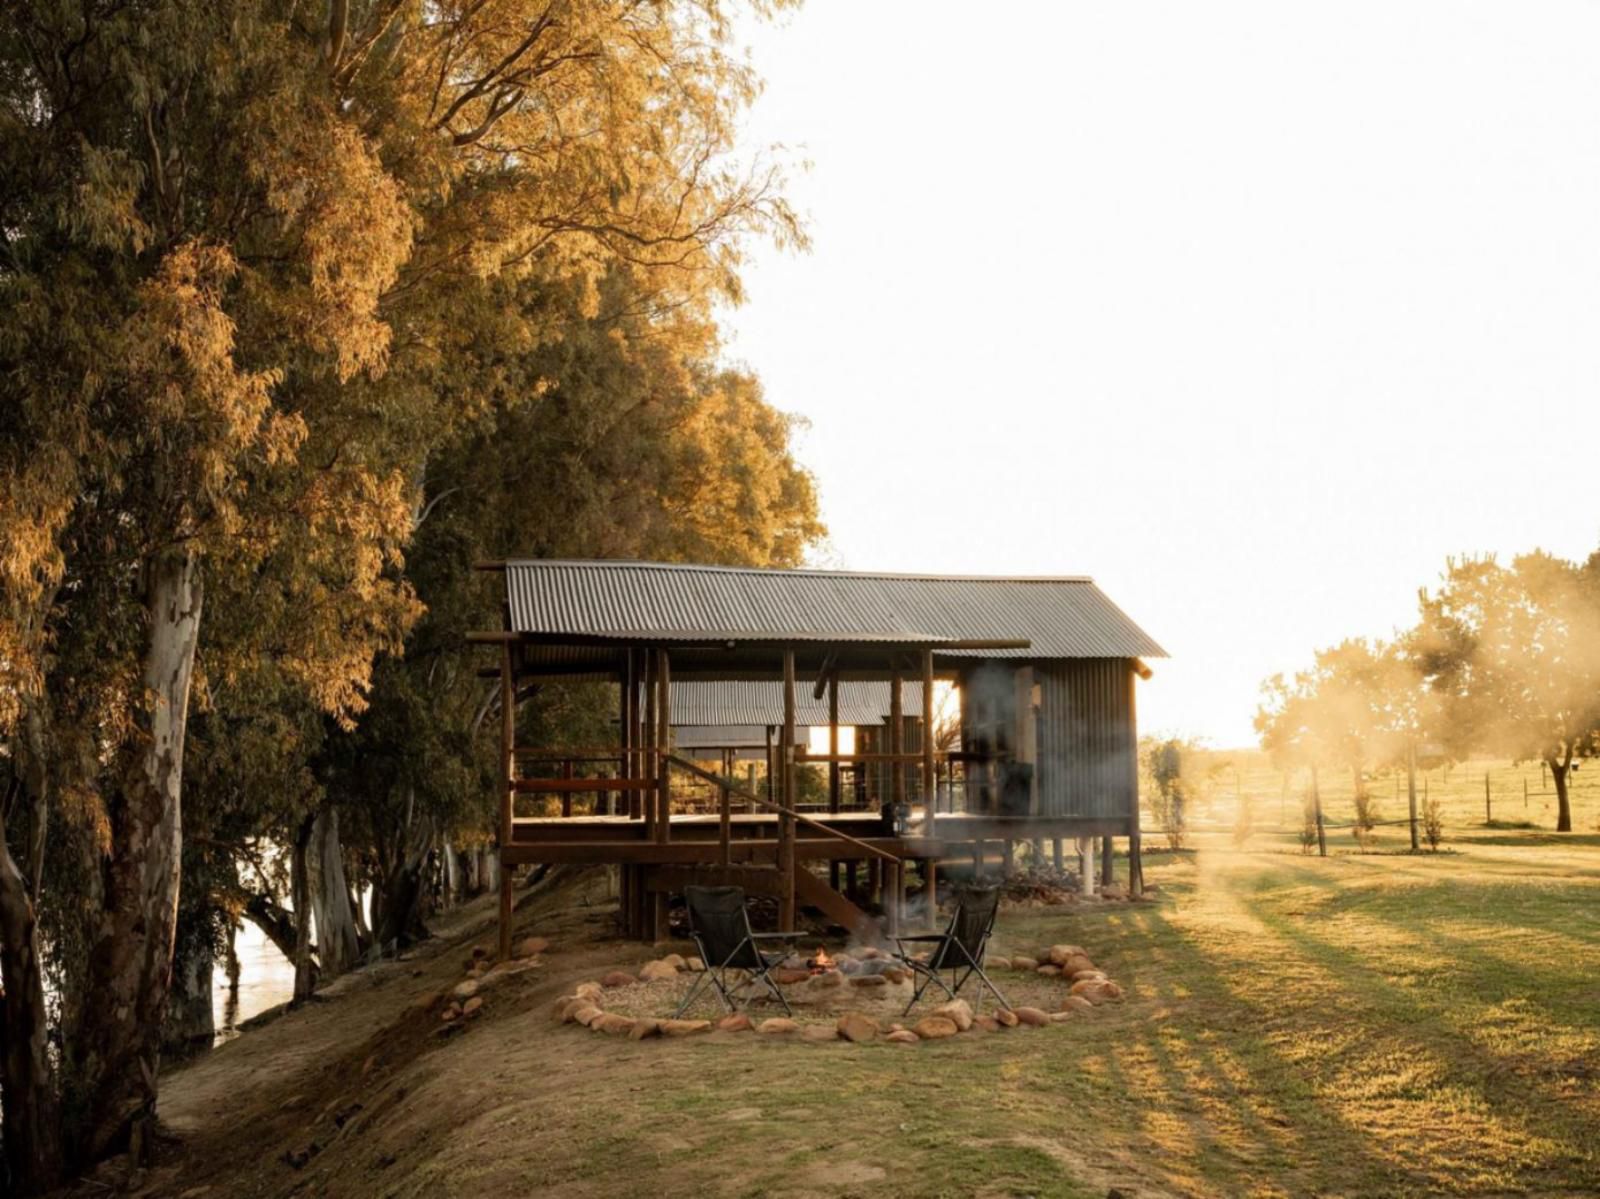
x: 1087, y: 739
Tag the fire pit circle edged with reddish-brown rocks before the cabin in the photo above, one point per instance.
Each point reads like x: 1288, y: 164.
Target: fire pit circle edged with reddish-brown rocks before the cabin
x: 852, y: 998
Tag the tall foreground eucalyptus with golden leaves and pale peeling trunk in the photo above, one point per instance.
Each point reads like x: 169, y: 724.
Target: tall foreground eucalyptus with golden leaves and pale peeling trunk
x: 234, y: 244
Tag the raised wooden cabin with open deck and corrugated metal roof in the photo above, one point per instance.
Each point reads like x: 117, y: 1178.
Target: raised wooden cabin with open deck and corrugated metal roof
x: 1044, y: 748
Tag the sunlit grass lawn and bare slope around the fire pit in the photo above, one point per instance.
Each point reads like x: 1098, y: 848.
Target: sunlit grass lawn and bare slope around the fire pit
x: 1362, y: 1025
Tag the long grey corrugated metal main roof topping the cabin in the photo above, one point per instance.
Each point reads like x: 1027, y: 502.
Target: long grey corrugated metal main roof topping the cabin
x: 1060, y: 617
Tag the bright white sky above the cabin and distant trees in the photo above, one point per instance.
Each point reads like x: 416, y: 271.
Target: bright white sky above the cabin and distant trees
x: 1252, y: 311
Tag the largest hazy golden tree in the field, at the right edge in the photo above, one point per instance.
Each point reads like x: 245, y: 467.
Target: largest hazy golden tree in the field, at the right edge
x: 1514, y: 659
